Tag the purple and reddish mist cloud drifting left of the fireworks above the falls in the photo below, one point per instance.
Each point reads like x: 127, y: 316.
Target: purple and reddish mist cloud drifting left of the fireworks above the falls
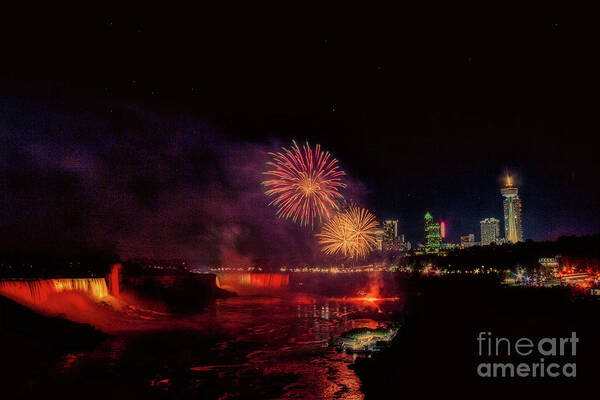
x: 151, y: 185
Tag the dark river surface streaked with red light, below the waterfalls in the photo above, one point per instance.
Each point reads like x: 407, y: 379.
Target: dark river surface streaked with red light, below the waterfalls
x: 249, y: 347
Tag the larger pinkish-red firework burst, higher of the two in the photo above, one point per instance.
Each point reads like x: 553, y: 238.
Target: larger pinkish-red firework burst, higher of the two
x: 305, y: 183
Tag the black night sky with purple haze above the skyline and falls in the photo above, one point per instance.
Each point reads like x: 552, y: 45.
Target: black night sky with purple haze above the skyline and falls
x: 121, y: 128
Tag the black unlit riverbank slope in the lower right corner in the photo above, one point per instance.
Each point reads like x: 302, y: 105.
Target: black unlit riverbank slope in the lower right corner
x: 436, y: 352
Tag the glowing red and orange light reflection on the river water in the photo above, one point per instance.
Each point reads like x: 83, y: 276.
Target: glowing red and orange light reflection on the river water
x: 290, y: 337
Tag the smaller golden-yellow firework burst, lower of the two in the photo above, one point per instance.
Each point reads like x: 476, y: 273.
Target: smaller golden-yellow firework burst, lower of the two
x: 351, y: 233
